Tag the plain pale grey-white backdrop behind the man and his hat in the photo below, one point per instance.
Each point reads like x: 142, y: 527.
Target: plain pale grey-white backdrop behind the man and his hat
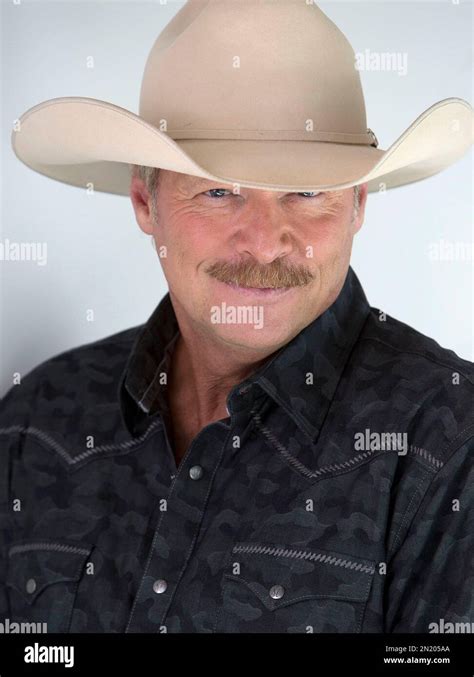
x: 97, y: 256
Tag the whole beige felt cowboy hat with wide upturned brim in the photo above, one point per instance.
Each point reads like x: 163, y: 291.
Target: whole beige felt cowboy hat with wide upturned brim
x: 261, y: 93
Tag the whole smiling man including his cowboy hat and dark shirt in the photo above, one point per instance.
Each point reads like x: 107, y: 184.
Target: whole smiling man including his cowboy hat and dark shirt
x: 267, y: 453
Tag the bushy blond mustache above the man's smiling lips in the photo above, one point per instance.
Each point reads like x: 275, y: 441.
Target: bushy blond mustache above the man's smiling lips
x: 275, y: 274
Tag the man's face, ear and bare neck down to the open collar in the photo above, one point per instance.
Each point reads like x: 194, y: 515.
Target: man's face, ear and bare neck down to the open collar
x: 256, y: 244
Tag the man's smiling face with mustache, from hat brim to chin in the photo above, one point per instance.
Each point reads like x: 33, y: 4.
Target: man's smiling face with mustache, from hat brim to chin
x: 247, y: 267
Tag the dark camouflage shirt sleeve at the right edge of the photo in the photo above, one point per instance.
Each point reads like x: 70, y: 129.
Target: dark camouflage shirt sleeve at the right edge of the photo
x: 430, y: 579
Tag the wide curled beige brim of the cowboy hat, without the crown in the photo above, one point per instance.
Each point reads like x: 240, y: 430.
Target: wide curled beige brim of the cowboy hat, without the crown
x: 87, y: 142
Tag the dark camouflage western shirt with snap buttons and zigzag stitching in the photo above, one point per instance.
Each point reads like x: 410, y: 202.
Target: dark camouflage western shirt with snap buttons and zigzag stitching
x: 337, y: 496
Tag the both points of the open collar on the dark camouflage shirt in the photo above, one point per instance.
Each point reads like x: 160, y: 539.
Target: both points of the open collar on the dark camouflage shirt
x: 301, y: 377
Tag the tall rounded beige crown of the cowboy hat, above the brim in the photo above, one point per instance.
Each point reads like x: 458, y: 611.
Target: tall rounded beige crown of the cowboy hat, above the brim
x: 254, y: 69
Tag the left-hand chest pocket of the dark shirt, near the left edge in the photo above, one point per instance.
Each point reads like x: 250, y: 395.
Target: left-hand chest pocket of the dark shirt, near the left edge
x: 42, y: 581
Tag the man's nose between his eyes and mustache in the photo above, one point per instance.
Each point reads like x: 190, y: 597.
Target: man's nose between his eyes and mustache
x: 263, y: 231
